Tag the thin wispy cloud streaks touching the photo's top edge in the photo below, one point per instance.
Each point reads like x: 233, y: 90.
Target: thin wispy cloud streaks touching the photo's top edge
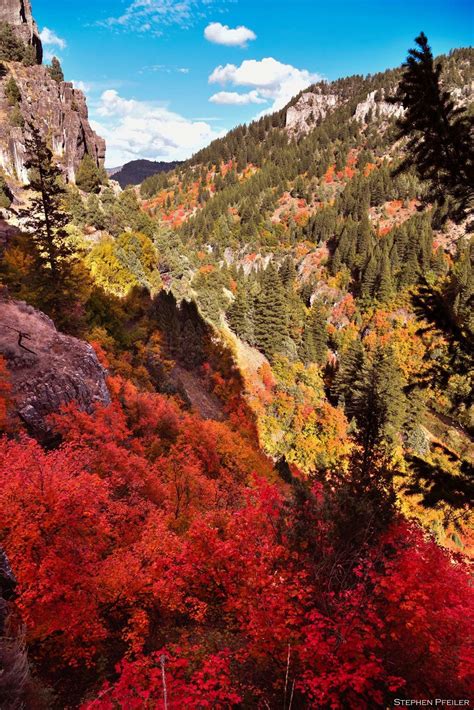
x: 152, y: 15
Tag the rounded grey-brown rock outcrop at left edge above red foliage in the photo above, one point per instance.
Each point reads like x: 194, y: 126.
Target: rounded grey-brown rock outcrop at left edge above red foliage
x: 47, y: 368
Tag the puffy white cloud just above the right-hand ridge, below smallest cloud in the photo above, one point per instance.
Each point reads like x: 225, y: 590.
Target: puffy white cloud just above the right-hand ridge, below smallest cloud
x: 269, y: 79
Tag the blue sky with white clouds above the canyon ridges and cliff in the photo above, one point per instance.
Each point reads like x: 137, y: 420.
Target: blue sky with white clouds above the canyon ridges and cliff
x: 164, y: 77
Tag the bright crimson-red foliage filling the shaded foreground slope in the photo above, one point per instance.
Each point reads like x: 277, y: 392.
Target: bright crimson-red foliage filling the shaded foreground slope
x: 147, y: 535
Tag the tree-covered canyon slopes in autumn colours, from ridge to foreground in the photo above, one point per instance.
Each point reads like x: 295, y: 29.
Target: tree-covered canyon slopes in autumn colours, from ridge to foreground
x: 270, y: 507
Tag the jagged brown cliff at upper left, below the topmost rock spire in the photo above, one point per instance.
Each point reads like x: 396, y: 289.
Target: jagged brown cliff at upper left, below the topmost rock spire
x: 59, y: 111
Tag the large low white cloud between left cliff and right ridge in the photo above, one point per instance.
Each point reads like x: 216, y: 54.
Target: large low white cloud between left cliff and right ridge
x: 138, y: 129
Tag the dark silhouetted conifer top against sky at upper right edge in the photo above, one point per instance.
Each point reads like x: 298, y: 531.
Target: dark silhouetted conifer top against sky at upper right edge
x: 440, y: 144
